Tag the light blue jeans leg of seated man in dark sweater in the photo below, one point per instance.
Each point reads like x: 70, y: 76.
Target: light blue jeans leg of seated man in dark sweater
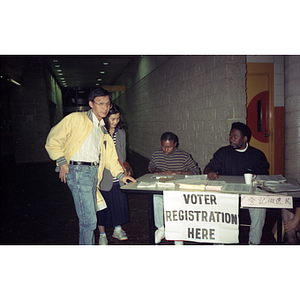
x: 257, y: 216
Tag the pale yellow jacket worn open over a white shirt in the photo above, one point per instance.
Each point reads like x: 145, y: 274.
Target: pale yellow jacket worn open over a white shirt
x: 66, y: 138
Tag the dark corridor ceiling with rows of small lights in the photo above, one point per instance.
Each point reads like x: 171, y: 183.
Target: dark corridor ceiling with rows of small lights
x: 87, y: 70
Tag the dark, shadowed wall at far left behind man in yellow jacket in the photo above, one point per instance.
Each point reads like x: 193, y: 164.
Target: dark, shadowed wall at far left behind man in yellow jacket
x: 30, y: 111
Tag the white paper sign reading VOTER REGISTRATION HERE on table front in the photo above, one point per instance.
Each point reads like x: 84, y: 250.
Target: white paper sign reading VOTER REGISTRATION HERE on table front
x: 201, y: 217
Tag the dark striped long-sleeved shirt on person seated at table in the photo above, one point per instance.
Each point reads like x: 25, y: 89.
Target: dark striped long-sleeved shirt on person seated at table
x: 178, y: 160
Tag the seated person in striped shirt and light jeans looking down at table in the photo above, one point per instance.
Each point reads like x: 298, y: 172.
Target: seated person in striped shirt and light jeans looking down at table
x: 169, y: 160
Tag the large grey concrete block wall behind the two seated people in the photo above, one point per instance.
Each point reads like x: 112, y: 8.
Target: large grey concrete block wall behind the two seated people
x: 196, y: 97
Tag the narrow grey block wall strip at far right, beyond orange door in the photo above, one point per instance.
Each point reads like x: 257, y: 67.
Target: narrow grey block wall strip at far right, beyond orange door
x: 292, y: 117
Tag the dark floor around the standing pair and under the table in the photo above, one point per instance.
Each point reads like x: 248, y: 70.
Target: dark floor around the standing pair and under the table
x: 37, y: 209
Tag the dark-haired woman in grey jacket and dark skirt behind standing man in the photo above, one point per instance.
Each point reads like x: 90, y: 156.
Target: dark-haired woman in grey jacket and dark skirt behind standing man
x: 117, y: 212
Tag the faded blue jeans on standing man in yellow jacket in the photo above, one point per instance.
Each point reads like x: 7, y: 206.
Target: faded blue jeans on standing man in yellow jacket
x: 82, y: 181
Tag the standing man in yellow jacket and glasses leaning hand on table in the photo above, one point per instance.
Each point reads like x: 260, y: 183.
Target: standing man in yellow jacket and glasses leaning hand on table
x: 82, y: 149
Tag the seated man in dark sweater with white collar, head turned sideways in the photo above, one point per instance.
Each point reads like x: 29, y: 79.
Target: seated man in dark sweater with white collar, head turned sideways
x: 237, y: 159
